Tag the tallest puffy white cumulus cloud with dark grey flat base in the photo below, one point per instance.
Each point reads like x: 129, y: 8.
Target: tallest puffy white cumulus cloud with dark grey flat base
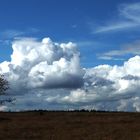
x: 37, y: 64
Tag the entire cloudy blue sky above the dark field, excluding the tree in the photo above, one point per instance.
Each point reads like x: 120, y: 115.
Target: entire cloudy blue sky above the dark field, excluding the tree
x: 71, y: 54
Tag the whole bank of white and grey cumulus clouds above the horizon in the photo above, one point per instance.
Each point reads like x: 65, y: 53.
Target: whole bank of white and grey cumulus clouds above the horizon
x: 44, y: 74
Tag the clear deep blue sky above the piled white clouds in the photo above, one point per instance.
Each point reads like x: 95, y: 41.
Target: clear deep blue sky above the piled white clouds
x: 97, y: 26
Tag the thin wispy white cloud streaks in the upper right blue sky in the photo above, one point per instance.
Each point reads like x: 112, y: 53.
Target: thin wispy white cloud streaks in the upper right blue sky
x: 128, y: 17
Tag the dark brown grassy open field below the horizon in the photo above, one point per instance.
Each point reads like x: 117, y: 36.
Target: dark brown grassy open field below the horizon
x: 69, y: 126
